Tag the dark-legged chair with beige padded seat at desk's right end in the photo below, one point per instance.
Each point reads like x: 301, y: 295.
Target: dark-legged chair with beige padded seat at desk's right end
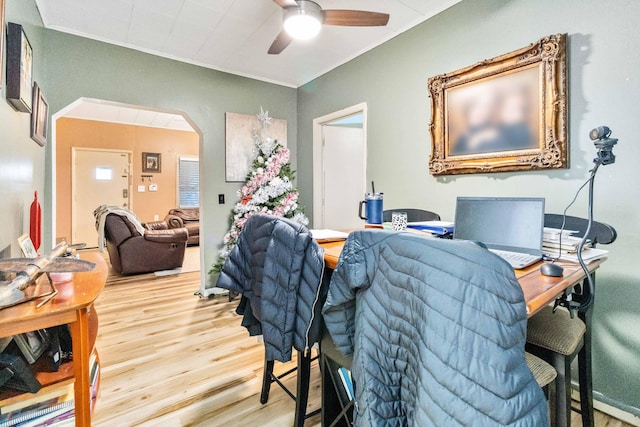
x: 558, y: 338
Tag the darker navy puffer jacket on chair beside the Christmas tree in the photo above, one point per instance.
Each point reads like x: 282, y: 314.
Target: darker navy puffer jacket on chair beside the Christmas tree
x: 278, y: 268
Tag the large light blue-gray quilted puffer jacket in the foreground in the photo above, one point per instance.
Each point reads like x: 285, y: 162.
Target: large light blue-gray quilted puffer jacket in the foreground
x: 437, y: 331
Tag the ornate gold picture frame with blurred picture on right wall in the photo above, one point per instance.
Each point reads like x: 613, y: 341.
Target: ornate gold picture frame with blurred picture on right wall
x: 503, y: 114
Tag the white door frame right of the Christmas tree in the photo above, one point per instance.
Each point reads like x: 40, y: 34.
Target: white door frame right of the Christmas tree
x: 318, y: 165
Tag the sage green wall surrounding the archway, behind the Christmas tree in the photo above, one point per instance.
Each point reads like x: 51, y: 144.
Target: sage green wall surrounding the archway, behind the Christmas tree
x: 78, y: 67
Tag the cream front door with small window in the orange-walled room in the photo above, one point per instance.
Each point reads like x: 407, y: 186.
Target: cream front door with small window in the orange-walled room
x: 100, y: 177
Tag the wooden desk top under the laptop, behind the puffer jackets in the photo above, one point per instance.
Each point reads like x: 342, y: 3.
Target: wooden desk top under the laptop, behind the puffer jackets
x: 539, y: 290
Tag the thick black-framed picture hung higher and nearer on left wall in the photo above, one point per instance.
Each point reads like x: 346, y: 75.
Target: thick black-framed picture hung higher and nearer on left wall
x: 19, y: 68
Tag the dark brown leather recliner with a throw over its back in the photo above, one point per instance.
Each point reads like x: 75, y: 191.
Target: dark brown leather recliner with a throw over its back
x: 132, y: 253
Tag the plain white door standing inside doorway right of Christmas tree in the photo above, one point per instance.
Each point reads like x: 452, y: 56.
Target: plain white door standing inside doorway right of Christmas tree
x: 343, y: 159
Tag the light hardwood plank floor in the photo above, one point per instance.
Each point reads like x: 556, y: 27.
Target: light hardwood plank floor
x: 169, y: 358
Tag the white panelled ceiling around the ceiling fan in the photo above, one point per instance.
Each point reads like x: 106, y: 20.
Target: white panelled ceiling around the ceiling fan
x: 233, y: 35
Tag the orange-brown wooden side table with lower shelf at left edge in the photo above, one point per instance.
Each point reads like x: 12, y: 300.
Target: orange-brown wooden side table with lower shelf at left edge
x: 72, y: 305
